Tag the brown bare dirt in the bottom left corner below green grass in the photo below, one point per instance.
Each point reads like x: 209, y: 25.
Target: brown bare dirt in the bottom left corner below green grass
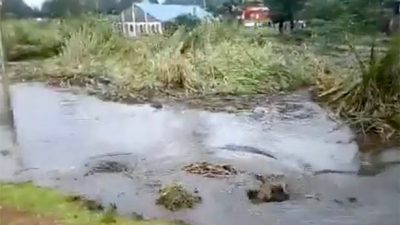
x: 10, y: 216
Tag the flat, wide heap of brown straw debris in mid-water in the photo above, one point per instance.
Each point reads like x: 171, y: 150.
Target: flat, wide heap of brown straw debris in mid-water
x: 210, y: 170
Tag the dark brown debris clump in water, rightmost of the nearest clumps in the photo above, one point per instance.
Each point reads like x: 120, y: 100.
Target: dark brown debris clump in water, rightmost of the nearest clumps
x: 272, y: 189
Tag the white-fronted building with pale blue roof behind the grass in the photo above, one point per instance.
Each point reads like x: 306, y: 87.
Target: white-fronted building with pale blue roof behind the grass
x: 148, y: 18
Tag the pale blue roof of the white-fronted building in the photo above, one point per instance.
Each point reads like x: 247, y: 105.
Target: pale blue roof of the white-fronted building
x: 169, y: 12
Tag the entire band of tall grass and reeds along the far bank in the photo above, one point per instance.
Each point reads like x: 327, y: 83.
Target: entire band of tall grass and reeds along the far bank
x: 215, y: 58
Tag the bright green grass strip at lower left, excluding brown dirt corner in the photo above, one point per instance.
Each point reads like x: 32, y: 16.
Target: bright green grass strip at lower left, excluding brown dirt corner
x: 49, y: 203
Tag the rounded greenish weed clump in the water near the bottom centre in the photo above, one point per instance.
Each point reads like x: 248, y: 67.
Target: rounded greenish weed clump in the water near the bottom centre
x: 176, y: 197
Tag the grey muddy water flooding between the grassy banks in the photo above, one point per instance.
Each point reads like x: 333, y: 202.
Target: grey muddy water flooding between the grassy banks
x: 123, y: 154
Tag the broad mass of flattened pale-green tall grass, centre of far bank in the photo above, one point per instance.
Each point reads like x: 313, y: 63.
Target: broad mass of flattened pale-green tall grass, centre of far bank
x: 211, y: 58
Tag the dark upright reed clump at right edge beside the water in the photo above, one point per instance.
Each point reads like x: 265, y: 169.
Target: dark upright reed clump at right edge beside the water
x: 370, y: 98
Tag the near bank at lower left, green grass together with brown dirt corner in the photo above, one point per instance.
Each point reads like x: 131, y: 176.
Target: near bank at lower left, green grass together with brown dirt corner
x: 25, y: 204
